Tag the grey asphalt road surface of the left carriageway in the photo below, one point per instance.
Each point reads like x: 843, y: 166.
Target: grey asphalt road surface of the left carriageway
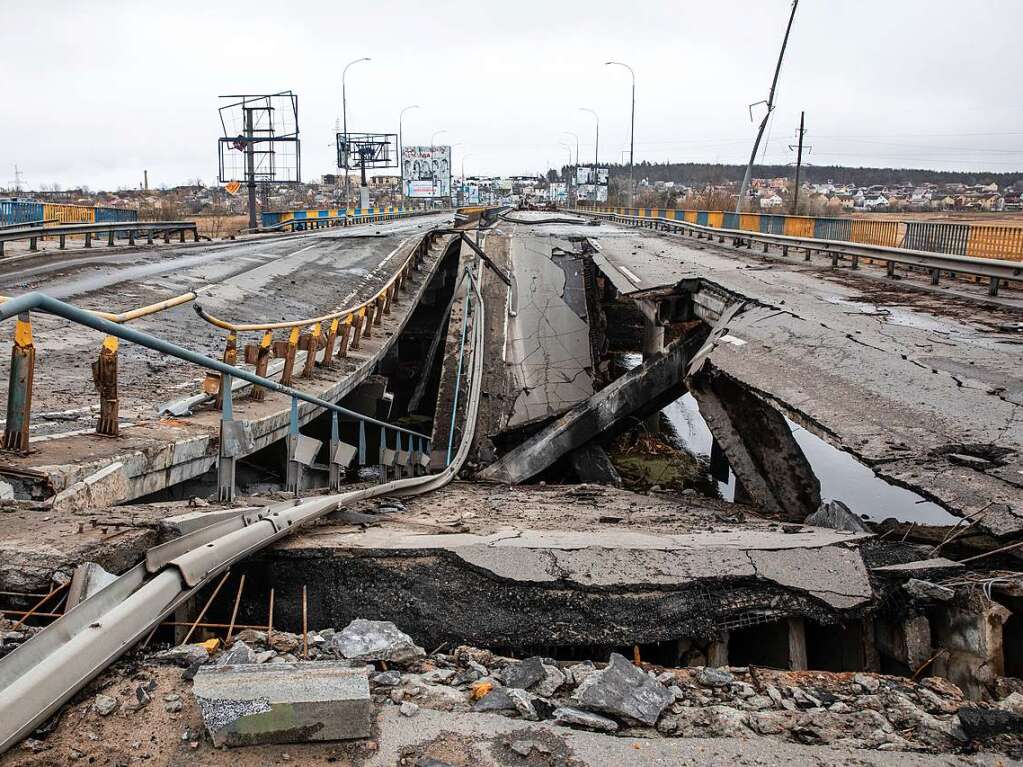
x: 260, y: 279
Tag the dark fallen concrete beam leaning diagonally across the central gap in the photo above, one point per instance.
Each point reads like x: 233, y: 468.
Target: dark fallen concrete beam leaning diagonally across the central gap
x: 642, y: 391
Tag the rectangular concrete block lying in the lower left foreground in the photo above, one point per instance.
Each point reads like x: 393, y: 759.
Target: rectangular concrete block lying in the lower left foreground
x: 284, y: 703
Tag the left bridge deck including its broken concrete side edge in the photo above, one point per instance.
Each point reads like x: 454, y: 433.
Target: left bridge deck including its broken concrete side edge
x: 156, y: 453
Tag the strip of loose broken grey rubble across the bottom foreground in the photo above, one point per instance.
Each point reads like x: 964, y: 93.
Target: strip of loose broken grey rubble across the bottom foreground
x: 842, y: 710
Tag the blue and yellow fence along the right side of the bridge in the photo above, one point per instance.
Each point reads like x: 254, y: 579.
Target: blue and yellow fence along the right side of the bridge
x: 978, y: 241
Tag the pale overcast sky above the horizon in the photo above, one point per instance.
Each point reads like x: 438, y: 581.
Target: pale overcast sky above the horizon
x: 95, y: 93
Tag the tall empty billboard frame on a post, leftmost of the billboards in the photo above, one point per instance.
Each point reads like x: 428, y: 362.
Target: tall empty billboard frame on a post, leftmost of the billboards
x: 259, y: 143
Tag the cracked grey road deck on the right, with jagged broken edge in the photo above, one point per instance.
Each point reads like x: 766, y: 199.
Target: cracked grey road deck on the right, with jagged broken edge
x: 900, y: 378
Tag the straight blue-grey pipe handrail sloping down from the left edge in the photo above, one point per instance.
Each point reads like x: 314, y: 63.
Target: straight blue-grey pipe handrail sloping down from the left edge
x: 41, y: 302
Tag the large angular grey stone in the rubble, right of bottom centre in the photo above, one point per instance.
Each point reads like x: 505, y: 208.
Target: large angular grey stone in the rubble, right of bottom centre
x: 625, y: 691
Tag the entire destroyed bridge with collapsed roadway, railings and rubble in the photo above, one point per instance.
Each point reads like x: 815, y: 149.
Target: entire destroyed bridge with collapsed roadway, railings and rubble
x: 718, y: 455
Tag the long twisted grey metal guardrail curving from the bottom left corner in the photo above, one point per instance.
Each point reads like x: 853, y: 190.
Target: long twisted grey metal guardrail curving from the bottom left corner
x: 47, y: 671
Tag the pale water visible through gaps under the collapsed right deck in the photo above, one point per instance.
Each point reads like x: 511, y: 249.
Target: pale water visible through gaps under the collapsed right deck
x: 842, y: 477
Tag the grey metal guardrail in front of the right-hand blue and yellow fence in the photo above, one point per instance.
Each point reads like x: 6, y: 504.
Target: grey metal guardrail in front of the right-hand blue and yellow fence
x: 995, y: 270
